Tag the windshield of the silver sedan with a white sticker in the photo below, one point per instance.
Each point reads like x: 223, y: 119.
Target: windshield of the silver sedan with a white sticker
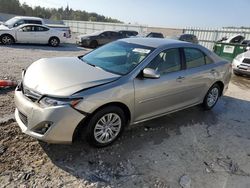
x: 117, y: 57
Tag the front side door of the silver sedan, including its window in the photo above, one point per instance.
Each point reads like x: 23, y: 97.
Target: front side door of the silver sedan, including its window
x: 157, y: 96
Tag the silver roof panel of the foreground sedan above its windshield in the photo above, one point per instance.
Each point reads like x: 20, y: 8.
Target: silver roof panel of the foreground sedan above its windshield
x: 153, y: 42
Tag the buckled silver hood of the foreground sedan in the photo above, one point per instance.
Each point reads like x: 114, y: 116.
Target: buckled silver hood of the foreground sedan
x: 64, y: 76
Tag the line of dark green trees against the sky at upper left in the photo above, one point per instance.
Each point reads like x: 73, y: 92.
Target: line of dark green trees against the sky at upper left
x: 15, y: 7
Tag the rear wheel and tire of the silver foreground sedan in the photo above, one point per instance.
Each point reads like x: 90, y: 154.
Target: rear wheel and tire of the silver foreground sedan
x: 211, y: 97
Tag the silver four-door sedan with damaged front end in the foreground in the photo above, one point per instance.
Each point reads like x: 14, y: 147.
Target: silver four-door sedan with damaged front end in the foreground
x: 123, y: 83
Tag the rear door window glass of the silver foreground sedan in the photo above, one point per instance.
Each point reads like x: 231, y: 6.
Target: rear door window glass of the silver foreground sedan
x: 194, y: 58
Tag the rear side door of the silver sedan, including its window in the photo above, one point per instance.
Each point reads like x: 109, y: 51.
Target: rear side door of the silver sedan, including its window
x: 199, y: 75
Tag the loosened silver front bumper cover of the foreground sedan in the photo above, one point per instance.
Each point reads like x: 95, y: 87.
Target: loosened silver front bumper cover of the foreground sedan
x: 30, y: 117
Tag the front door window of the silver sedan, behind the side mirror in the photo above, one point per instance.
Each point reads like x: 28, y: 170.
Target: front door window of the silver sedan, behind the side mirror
x: 167, y: 61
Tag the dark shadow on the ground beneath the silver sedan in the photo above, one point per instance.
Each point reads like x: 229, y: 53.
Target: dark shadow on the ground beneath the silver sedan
x: 103, y: 164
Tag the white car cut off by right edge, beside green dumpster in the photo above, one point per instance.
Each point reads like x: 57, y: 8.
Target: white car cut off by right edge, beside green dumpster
x: 241, y: 64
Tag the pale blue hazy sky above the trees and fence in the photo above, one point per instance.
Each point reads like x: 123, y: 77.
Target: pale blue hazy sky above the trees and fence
x: 166, y: 13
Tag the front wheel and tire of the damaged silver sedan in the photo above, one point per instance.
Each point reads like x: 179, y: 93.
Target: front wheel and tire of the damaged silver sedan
x: 100, y: 135
